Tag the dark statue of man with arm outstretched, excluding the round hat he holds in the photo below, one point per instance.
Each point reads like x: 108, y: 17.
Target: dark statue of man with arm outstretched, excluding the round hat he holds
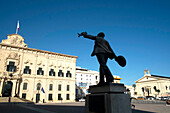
x: 103, y: 51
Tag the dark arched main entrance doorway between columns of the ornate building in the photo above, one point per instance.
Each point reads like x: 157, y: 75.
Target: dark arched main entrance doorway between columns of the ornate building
x: 7, y: 89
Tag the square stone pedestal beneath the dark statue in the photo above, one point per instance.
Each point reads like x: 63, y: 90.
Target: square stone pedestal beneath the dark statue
x: 108, y: 98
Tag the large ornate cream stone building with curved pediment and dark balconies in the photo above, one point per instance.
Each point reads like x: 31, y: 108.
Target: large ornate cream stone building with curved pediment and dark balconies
x: 34, y: 74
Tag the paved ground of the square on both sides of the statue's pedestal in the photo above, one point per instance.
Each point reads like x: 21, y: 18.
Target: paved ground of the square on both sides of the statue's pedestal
x: 76, y: 107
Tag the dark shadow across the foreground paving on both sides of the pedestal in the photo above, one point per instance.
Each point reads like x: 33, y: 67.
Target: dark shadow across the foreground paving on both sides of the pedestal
x: 32, y: 108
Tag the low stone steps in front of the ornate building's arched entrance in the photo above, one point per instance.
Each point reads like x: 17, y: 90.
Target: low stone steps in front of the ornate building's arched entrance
x: 15, y: 100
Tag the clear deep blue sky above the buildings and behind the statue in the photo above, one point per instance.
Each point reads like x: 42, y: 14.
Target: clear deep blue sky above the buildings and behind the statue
x: 137, y: 29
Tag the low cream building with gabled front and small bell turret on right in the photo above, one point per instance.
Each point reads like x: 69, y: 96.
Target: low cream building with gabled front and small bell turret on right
x: 152, y: 85
